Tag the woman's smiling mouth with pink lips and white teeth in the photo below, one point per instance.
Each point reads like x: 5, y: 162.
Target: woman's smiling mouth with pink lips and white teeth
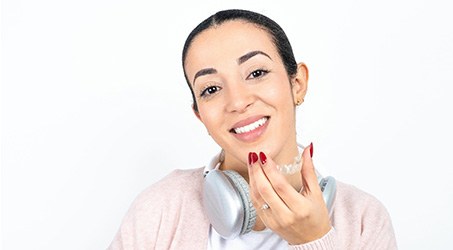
x: 250, y: 129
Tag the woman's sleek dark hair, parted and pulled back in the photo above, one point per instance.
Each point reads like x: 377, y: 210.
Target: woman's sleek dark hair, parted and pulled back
x: 276, y: 32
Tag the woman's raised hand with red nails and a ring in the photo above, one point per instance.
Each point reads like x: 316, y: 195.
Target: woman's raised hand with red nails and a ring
x: 298, y: 217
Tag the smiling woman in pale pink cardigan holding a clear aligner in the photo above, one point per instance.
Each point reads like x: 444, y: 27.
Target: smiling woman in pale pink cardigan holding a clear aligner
x: 246, y: 84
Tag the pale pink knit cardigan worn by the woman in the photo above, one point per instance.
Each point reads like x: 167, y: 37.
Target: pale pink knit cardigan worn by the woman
x: 169, y: 215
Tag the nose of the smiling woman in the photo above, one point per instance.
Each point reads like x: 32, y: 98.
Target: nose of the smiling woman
x: 239, y: 98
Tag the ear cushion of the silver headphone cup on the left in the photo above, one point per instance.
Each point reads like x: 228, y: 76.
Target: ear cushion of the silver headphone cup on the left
x: 243, y: 189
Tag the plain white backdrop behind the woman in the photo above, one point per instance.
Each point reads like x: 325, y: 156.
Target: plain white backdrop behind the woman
x: 95, y: 109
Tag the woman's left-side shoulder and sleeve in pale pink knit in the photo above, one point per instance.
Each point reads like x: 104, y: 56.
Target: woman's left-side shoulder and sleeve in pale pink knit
x: 170, y: 203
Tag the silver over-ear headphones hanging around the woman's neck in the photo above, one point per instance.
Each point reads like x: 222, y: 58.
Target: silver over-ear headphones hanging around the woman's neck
x: 227, y: 202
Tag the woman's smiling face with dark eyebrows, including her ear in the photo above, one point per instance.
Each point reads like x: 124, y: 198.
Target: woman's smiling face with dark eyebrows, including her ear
x: 243, y: 93
